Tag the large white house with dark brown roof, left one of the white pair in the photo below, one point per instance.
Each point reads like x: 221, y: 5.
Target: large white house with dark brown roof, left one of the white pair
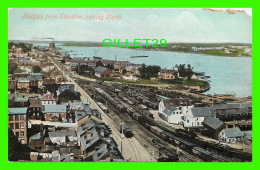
x: 174, y: 110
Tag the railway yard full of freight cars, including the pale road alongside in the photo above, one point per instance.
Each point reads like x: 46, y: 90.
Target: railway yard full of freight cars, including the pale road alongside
x: 151, y: 139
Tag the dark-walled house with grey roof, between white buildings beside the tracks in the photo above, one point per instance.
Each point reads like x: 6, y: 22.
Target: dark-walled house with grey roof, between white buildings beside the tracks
x: 213, y: 126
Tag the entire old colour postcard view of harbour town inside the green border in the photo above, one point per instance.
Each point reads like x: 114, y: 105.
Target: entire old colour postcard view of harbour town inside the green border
x: 71, y: 98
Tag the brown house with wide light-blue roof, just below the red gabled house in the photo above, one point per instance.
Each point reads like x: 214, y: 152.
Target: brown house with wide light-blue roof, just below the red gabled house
x: 55, y: 112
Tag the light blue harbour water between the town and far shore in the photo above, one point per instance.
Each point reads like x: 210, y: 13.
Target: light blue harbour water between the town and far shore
x: 229, y: 75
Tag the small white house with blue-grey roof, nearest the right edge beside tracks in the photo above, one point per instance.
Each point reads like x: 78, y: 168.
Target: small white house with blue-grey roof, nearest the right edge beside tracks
x: 231, y: 135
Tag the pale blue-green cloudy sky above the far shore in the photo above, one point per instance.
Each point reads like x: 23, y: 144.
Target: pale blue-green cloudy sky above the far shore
x: 172, y: 24
